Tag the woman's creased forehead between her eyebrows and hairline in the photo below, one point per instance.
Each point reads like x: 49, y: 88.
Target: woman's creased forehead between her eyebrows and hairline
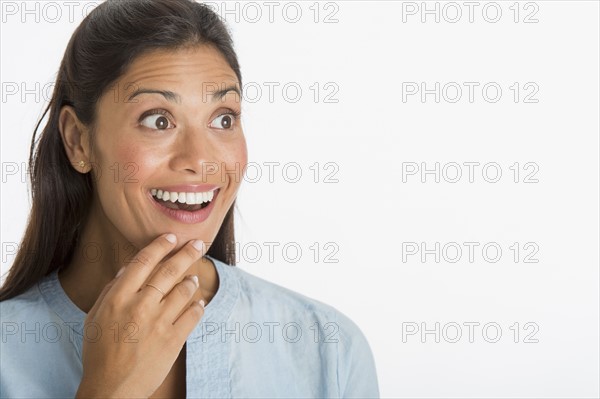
x: 194, y: 66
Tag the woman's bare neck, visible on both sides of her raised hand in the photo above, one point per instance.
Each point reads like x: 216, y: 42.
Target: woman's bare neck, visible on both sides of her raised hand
x: 100, y: 253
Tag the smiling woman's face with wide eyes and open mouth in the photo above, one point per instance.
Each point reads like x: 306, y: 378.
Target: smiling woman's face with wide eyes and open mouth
x: 170, y: 123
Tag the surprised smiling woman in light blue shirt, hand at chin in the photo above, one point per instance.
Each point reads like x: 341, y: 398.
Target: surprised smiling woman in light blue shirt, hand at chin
x: 124, y: 284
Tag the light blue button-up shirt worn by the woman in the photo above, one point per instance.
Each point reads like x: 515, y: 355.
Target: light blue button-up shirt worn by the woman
x: 255, y: 340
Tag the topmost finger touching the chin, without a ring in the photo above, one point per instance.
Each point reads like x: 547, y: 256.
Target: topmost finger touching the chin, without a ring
x: 144, y: 262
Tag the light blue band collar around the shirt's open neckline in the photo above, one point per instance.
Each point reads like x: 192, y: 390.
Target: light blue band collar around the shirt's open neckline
x: 217, y: 310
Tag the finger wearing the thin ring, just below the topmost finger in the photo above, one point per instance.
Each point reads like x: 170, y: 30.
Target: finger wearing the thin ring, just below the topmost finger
x: 171, y: 271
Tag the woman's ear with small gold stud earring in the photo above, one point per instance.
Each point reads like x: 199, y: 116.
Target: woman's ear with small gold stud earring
x: 75, y: 138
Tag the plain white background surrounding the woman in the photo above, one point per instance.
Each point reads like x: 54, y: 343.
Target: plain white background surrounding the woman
x: 367, y: 53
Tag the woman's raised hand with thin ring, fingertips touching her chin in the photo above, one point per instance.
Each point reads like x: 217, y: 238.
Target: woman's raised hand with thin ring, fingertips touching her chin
x: 132, y: 334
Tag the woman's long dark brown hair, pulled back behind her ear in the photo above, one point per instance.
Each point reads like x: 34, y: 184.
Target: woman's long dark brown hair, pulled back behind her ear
x: 99, y: 52
